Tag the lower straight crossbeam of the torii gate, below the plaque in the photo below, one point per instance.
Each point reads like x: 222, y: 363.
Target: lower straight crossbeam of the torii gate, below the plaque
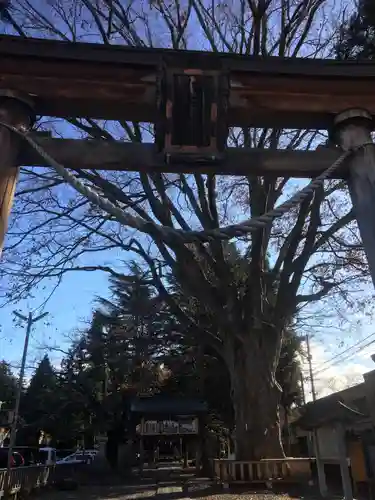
x: 105, y: 155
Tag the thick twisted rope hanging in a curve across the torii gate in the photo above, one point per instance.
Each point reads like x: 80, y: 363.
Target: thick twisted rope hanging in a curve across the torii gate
x: 166, y: 232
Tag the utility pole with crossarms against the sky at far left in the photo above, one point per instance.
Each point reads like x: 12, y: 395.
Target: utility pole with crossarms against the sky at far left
x: 30, y: 322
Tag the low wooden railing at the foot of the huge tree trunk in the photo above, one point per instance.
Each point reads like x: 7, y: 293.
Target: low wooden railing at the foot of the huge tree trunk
x: 292, y: 470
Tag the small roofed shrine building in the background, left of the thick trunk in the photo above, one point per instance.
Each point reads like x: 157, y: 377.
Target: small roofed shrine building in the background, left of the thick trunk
x: 161, y: 419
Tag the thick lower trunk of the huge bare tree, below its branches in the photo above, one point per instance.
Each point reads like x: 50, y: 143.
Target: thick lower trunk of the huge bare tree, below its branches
x: 256, y: 398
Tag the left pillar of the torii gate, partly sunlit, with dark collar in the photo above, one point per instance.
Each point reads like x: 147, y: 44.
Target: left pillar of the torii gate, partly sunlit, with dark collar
x: 16, y: 109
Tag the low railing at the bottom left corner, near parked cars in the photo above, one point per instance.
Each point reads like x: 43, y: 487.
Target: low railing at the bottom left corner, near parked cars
x: 27, y: 479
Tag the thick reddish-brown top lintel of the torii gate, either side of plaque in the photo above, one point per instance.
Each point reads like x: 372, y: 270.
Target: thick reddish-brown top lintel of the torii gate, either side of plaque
x: 117, y: 82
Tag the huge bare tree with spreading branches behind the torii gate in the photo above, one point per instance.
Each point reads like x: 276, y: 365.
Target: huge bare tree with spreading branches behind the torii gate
x: 311, y: 254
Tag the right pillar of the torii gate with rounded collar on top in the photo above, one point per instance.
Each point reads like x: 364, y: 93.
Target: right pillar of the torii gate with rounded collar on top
x: 353, y: 129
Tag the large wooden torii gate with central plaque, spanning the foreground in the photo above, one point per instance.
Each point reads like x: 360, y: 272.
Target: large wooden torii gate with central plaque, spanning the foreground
x: 192, y: 98
